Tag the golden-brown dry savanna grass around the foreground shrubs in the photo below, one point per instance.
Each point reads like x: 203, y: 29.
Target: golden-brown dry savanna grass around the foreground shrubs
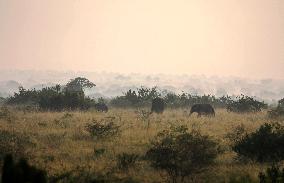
x: 59, y: 142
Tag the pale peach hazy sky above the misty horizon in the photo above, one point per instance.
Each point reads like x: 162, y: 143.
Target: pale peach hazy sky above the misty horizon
x: 214, y: 37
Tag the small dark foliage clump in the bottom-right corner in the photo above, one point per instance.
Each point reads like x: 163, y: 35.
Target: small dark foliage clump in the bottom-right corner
x: 273, y: 174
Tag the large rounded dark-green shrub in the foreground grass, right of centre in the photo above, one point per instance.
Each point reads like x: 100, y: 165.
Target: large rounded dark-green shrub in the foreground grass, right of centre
x: 181, y: 153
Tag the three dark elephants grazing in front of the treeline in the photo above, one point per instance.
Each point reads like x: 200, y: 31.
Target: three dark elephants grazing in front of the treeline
x: 158, y: 106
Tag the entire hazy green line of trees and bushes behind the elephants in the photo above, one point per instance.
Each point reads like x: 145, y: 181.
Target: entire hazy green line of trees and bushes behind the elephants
x: 72, y: 97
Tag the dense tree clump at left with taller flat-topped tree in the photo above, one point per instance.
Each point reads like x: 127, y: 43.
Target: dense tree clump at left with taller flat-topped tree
x: 56, y: 98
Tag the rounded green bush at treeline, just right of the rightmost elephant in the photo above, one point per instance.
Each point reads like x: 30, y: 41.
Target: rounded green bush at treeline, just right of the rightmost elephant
x: 246, y: 104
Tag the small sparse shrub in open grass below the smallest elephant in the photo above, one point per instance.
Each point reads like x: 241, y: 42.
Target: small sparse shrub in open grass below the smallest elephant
x: 102, y: 129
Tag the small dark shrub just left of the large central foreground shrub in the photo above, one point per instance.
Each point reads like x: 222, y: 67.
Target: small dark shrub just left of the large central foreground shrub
x: 125, y: 160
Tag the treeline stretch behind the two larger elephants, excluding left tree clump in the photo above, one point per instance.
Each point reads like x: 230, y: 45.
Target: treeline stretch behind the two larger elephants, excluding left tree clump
x: 142, y: 97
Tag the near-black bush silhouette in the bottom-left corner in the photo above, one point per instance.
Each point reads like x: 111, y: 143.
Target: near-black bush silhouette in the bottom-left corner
x: 21, y: 172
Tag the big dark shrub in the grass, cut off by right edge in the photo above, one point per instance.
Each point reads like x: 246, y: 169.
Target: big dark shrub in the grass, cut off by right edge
x: 264, y: 145
